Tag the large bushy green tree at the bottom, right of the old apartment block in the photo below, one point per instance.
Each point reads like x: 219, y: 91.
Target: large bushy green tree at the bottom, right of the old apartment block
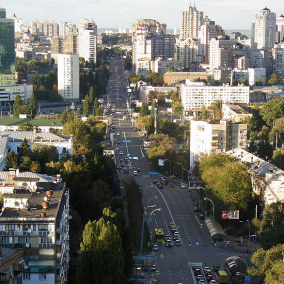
x: 101, y: 254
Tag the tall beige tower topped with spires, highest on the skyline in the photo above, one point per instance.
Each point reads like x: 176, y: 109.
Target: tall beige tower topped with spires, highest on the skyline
x: 190, y: 22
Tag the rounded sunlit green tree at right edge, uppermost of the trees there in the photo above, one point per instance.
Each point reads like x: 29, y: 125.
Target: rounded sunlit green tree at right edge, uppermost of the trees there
x: 272, y: 110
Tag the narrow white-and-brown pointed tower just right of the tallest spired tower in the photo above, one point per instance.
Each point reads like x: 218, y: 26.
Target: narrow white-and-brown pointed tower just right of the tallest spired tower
x: 206, y: 33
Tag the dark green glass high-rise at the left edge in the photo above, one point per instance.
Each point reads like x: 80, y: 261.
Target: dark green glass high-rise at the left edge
x: 7, y: 50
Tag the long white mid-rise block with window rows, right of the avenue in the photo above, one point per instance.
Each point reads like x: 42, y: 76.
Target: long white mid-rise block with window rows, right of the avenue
x: 194, y: 95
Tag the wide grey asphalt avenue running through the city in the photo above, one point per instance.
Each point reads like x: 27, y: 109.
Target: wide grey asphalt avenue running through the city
x: 173, y: 263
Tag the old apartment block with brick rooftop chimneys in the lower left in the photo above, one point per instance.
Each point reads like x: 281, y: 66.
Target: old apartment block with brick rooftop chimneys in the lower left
x: 35, y: 217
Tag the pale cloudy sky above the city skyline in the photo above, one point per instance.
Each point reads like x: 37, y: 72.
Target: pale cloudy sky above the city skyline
x: 230, y: 14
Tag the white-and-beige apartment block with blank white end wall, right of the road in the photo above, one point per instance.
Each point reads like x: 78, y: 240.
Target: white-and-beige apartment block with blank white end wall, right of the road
x: 207, y: 138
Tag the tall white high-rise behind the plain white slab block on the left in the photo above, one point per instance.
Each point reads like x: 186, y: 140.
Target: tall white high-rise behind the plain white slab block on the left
x: 88, y: 40
